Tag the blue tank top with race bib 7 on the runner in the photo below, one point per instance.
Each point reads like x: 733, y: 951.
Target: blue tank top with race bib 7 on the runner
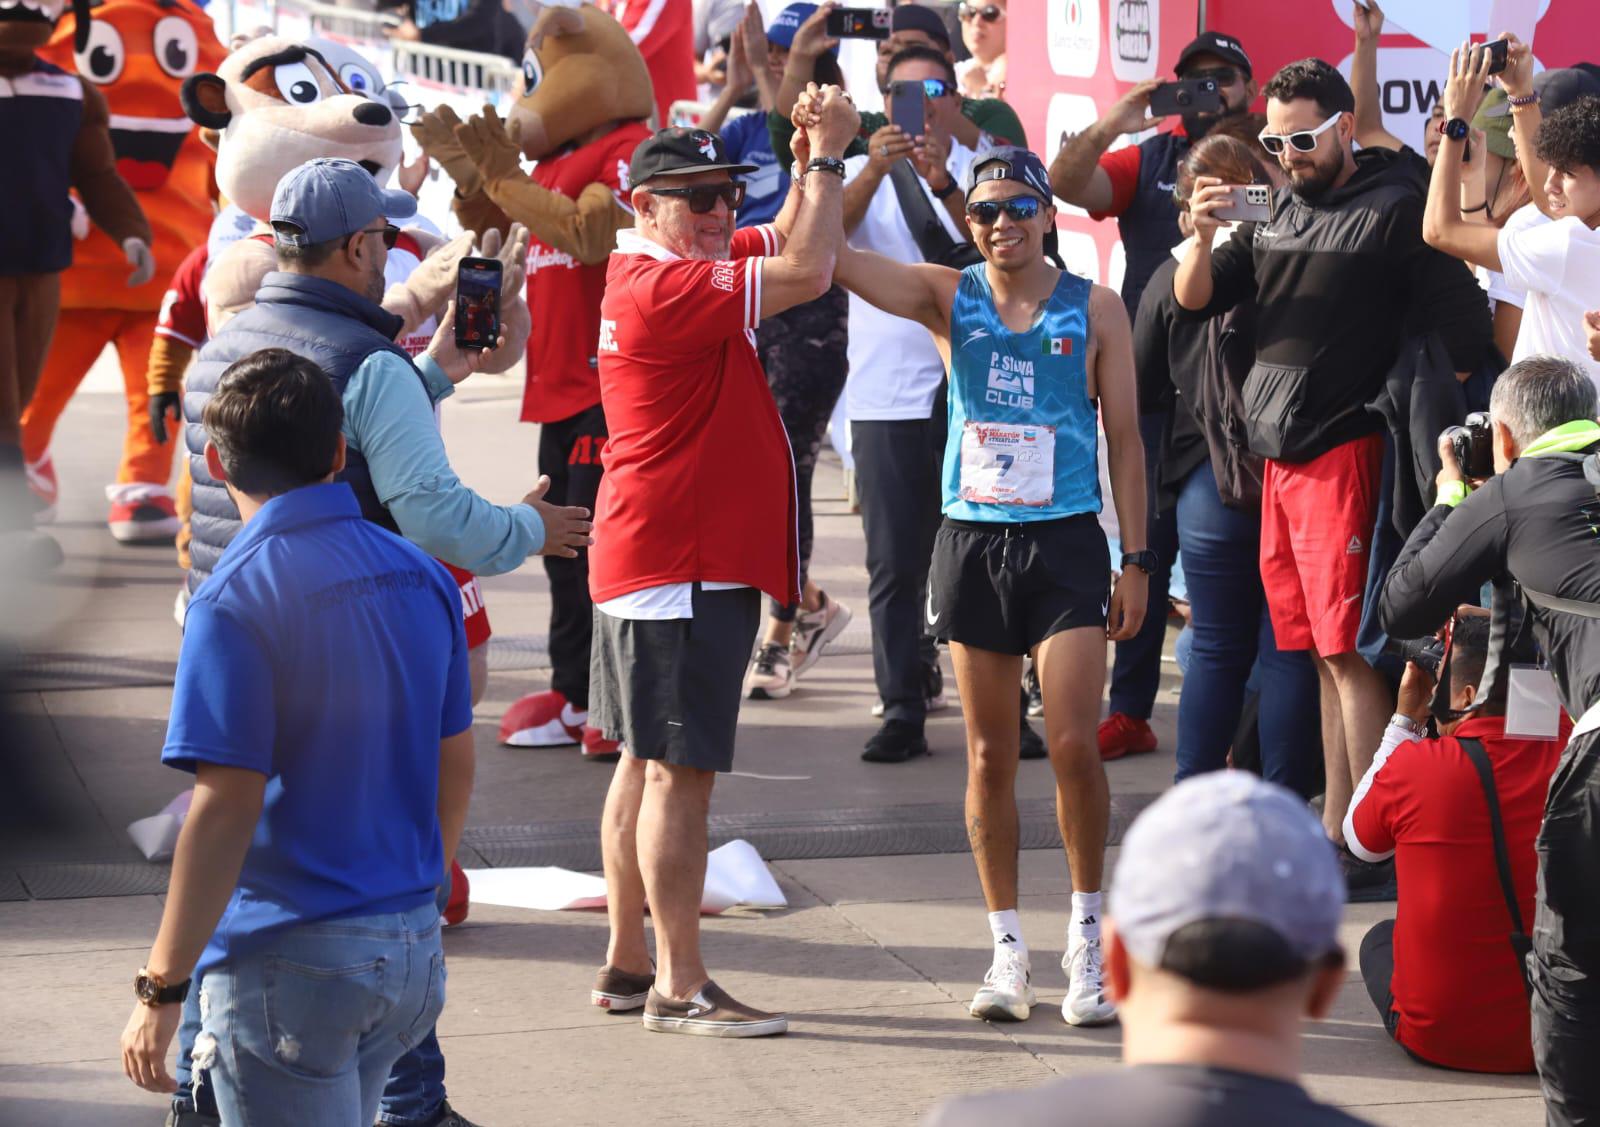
x: 1025, y: 436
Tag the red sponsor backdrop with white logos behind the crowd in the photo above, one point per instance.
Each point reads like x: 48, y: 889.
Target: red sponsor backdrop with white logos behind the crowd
x: 1071, y: 58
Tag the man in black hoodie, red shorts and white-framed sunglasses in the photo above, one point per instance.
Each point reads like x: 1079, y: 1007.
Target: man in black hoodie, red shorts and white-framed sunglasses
x: 1338, y: 273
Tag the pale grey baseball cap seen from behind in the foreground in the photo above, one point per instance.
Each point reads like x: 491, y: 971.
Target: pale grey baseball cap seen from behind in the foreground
x: 1228, y: 846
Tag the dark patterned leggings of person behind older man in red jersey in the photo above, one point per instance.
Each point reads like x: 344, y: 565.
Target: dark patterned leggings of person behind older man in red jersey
x: 804, y: 351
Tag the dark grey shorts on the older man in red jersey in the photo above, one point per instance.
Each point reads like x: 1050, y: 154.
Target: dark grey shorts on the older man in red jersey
x: 670, y: 689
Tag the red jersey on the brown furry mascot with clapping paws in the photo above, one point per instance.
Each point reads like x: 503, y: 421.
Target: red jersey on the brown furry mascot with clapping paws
x: 564, y: 295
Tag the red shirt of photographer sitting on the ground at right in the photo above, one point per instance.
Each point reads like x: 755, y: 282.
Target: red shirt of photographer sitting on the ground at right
x: 1455, y: 987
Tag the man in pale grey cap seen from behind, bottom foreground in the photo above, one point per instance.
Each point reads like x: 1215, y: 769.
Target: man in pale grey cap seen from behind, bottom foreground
x: 1222, y: 941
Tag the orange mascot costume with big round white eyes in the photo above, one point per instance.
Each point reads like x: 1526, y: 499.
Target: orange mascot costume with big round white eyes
x: 138, y: 55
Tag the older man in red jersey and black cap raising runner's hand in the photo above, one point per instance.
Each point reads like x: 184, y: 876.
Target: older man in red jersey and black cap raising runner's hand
x: 697, y: 516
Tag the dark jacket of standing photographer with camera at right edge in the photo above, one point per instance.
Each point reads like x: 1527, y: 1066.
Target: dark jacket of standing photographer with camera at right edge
x: 1532, y: 523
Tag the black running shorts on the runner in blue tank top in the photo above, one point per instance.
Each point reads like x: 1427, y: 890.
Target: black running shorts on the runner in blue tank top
x: 1009, y: 587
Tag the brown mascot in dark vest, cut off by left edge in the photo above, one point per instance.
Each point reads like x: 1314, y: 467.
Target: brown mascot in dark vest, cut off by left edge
x: 62, y: 142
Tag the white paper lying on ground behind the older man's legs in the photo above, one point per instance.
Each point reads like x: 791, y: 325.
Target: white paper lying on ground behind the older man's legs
x: 735, y: 878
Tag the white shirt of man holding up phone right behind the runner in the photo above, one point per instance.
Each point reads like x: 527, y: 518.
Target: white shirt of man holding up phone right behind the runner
x: 895, y: 369
